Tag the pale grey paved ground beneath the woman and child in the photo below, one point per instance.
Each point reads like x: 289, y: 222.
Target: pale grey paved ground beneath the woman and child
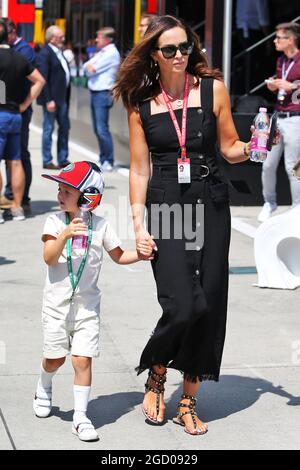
x: 255, y: 405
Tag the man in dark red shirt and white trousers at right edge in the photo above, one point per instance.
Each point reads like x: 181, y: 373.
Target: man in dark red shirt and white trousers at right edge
x: 286, y: 85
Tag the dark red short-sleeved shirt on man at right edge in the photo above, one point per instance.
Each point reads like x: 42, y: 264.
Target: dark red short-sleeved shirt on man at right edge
x: 294, y: 74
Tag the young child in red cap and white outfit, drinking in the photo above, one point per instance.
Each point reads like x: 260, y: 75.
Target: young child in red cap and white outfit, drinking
x: 71, y: 301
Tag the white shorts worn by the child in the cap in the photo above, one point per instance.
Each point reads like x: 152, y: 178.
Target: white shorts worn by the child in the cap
x: 78, y: 337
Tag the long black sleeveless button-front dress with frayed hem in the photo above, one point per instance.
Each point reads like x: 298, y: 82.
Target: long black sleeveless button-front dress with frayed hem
x: 191, y: 276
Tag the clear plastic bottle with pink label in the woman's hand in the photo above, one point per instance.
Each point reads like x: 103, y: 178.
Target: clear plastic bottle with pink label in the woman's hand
x: 258, y: 149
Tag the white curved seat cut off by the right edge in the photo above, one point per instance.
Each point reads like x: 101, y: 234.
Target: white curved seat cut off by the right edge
x: 277, y: 251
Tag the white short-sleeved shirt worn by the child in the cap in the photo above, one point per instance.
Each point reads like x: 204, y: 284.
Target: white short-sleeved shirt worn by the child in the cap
x: 58, y: 289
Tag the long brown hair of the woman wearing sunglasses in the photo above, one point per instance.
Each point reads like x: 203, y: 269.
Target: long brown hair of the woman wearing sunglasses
x: 138, y: 77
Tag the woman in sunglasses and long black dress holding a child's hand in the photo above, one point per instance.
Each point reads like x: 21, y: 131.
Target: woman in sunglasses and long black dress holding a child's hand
x: 163, y: 75
